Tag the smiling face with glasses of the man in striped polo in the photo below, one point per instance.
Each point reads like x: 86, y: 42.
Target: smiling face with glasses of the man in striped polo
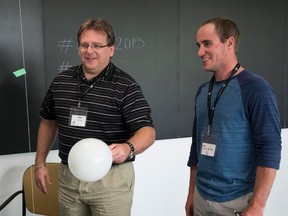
x: 94, y: 58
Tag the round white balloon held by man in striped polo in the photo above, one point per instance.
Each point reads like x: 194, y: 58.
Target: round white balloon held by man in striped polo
x: 90, y: 159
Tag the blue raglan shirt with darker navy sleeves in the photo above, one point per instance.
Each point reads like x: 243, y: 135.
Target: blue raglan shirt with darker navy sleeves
x: 247, y: 127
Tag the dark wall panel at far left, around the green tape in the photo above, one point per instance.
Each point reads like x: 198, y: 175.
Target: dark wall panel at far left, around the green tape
x: 20, y: 97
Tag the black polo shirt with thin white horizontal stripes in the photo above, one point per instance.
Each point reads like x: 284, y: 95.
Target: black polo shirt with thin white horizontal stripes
x: 115, y: 105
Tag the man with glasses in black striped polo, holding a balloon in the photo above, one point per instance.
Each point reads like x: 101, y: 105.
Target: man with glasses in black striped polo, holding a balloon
x: 94, y: 100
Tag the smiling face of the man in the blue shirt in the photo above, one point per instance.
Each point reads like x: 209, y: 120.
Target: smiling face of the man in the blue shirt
x: 210, y: 49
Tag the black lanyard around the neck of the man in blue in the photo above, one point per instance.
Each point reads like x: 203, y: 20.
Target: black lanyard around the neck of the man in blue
x: 211, y: 110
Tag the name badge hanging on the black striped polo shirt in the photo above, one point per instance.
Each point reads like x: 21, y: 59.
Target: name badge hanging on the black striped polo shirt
x: 78, y: 116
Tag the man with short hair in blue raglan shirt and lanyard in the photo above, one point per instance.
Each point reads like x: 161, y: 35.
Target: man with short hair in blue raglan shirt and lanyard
x: 236, y: 147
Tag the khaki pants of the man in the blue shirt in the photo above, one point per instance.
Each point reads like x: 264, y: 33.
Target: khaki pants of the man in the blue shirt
x: 204, y: 207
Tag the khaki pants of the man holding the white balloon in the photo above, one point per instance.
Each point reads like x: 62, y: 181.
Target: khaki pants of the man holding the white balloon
x: 110, y: 196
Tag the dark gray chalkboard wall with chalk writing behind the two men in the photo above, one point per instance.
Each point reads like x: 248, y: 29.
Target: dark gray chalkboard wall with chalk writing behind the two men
x: 155, y: 44
